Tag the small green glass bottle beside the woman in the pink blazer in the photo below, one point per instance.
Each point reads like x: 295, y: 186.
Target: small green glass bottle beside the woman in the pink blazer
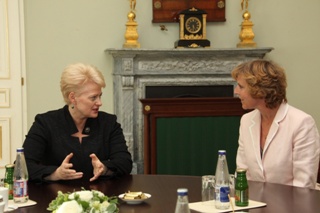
x: 241, y: 196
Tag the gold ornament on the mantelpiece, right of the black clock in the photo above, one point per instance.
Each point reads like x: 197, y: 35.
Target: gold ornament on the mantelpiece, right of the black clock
x: 246, y: 34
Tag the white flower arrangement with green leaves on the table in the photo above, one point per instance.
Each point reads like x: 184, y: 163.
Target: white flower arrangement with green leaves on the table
x: 85, y: 201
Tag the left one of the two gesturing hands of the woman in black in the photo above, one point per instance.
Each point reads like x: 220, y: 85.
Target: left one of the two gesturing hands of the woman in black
x: 64, y: 171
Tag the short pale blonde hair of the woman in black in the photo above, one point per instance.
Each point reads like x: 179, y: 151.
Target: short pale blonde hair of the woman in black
x: 75, y: 75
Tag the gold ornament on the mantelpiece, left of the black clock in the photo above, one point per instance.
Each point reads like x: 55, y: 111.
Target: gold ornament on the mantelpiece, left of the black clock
x: 131, y: 34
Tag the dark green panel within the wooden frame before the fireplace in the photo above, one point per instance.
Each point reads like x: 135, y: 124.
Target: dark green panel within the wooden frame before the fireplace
x: 189, y: 145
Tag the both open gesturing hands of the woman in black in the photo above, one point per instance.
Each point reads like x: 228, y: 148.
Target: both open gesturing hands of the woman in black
x: 65, y: 171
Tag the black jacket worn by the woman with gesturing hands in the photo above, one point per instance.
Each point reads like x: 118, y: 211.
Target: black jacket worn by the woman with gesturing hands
x: 49, y: 141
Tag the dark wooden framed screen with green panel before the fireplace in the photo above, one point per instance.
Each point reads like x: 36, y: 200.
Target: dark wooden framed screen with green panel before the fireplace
x: 179, y: 130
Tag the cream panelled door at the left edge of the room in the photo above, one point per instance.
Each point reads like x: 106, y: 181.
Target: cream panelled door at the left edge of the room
x: 12, y: 88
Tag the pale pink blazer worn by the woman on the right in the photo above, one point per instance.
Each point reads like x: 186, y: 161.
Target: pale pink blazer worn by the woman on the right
x: 292, y: 149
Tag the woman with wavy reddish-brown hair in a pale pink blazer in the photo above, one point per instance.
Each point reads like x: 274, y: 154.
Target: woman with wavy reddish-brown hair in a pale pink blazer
x: 278, y: 143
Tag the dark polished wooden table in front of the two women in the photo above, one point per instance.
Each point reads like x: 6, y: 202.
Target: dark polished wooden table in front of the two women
x: 279, y: 198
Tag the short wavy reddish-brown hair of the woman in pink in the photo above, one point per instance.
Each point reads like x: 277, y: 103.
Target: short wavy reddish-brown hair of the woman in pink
x: 266, y: 80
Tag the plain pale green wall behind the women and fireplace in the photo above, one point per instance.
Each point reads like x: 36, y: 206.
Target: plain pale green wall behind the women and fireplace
x: 61, y: 32
